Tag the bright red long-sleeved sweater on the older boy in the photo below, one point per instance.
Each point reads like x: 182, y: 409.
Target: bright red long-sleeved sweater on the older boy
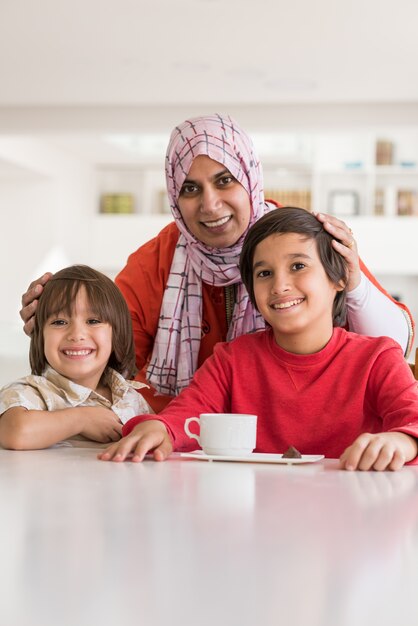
x: 319, y: 403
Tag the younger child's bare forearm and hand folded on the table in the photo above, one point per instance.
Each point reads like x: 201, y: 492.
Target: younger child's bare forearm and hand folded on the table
x: 22, y: 429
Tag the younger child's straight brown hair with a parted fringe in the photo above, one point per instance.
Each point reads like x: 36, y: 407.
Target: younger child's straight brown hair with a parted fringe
x: 106, y: 301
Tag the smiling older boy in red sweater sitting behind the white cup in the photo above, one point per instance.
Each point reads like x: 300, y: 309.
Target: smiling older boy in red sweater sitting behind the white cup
x: 312, y: 384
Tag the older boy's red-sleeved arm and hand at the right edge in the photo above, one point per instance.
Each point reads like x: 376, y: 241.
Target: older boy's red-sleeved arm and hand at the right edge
x: 396, y: 398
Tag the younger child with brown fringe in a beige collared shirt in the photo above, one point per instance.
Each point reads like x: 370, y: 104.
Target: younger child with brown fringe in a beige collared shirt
x: 81, y: 350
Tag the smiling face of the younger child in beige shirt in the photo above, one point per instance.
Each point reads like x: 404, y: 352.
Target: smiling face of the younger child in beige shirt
x: 78, y: 346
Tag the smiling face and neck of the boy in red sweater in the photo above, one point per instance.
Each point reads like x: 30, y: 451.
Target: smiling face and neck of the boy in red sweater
x: 293, y: 292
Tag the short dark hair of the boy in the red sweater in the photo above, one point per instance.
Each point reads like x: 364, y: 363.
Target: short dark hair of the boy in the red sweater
x: 296, y: 220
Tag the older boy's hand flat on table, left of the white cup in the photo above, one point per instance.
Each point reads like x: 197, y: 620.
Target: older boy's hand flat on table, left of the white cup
x: 148, y: 436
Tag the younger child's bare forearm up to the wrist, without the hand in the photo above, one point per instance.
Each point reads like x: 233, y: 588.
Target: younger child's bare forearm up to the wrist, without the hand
x: 31, y: 430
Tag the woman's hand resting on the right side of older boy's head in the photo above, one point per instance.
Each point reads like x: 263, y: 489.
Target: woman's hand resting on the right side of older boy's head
x: 347, y: 248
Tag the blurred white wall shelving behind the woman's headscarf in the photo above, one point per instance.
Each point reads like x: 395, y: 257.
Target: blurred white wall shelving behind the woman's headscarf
x: 338, y: 169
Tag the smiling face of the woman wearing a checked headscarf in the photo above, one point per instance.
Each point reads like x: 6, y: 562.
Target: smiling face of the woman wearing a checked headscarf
x: 215, y: 207
